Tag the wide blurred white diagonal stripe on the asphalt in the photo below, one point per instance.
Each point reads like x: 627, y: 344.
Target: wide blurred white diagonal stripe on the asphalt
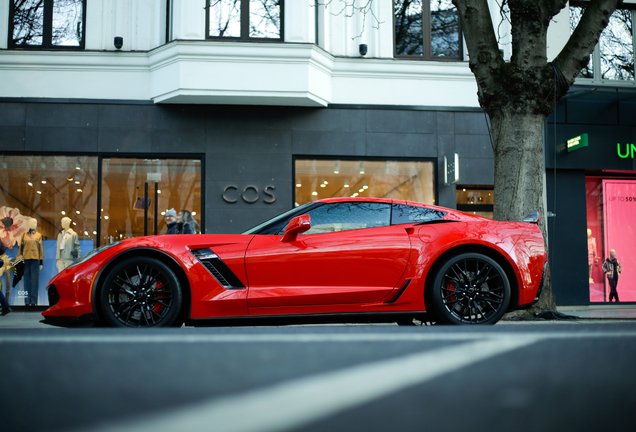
x: 296, y: 403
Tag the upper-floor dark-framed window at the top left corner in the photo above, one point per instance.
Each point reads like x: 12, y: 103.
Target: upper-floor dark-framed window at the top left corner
x: 45, y: 24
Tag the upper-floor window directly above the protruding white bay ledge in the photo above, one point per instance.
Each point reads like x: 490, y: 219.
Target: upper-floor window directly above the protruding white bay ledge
x: 244, y: 19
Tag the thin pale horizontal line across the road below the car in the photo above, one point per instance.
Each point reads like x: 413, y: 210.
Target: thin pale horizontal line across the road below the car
x: 150, y: 337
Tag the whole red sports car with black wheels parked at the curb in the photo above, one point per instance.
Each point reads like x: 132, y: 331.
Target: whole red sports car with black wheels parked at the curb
x: 332, y: 260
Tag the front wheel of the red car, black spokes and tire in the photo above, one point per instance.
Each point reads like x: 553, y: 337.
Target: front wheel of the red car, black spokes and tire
x: 141, y: 292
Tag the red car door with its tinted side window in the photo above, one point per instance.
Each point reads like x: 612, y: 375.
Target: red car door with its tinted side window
x: 351, y: 254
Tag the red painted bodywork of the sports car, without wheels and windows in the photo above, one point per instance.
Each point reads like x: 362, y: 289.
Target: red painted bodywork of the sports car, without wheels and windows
x: 382, y: 269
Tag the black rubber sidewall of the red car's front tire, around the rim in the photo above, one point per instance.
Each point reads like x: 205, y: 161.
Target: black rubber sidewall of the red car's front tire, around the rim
x: 175, y: 308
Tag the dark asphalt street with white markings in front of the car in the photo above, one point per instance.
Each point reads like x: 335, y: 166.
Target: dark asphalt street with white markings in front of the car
x: 555, y: 376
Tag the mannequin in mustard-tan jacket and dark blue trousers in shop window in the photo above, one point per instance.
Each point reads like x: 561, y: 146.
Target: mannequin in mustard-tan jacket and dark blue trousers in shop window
x: 32, y: 250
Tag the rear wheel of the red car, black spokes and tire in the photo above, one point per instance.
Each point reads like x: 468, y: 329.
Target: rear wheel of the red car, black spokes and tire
x: 470, y: 288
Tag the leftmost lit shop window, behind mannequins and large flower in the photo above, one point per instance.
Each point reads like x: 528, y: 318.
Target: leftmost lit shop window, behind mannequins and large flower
x: 47, y: 189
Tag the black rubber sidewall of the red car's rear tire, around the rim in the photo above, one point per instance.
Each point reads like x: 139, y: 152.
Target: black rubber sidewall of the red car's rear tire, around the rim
x: 434, y: 294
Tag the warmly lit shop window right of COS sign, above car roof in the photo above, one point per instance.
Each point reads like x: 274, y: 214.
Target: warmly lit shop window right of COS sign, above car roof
x: 400, y: 180
